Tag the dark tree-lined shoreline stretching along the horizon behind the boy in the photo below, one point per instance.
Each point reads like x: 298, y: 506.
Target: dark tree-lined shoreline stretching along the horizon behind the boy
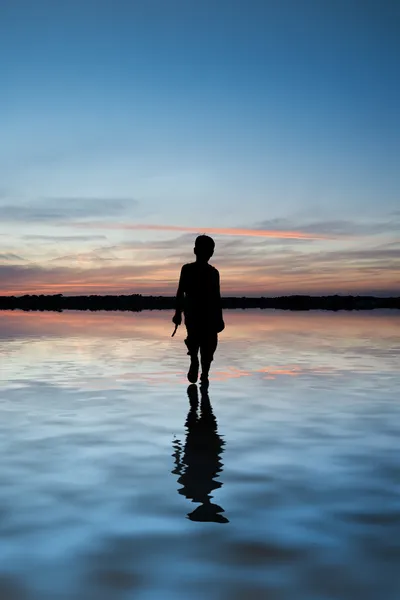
x: 137, y: 303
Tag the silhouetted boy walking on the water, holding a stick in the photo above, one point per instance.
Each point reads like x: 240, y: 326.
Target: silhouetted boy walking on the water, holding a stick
x: 199, y: 297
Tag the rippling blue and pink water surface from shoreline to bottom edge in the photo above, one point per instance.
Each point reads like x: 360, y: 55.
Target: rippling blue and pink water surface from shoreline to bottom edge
x: 282, y: 483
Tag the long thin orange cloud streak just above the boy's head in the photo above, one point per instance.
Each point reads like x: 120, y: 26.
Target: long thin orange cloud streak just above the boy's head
x: 296, y: 235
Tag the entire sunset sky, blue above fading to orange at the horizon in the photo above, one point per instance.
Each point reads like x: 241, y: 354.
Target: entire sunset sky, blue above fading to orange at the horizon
x: 127, y: 127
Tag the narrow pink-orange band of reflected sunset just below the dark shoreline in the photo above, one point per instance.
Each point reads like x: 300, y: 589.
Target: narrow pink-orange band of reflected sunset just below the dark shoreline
x: 248, y: 323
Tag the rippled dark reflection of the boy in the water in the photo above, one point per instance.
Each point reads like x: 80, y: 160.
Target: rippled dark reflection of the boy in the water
x: 199, y: 462
